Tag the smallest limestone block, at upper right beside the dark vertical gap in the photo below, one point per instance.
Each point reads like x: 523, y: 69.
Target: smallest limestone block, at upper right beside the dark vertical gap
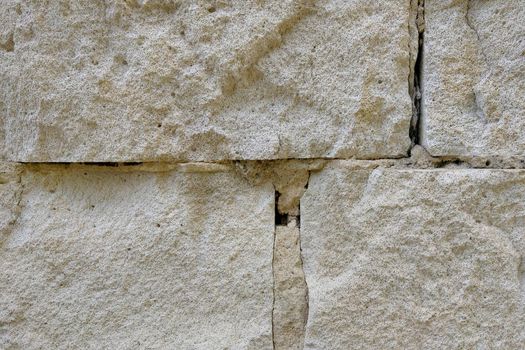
x: 474, y: 78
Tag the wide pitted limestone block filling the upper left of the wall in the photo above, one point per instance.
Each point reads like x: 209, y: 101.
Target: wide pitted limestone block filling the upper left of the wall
x: 204, y: 80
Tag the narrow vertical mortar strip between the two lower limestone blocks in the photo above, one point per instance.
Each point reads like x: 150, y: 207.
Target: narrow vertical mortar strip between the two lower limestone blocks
x: 290, y: 291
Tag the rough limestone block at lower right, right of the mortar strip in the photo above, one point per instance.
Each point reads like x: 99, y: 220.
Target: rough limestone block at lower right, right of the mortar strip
x: 415, y: 259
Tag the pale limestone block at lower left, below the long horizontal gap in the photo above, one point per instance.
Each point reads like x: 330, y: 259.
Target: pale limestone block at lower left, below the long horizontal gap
x: 106, y: 259
